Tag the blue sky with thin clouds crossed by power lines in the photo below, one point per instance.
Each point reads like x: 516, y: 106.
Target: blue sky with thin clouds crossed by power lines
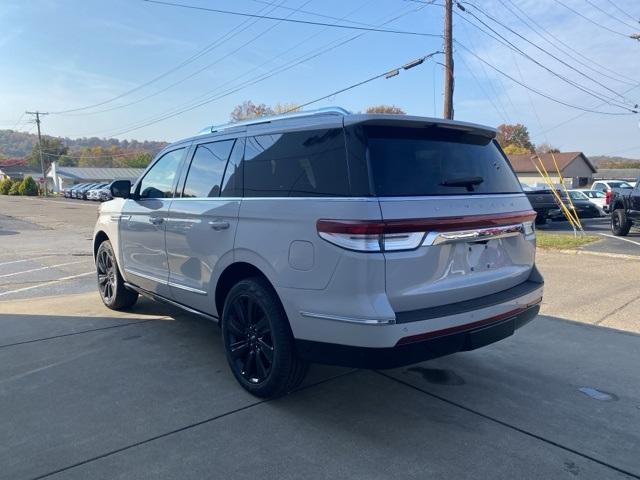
x: 158, y: 72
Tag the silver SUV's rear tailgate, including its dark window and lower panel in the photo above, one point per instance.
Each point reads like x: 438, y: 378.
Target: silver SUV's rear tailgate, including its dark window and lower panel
x: 459, y: 190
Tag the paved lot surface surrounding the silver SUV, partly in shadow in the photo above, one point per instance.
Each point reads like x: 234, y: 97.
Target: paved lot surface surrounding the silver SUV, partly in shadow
x: 89, y: 393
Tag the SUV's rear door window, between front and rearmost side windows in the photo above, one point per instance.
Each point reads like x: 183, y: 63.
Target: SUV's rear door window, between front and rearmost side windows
x: 207, y: 169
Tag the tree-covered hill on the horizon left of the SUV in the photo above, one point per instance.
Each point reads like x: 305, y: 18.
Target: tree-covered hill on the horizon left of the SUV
x: 19, y: 144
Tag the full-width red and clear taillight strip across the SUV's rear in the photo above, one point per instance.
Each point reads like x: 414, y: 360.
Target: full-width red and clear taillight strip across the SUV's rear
x: 399, y: 235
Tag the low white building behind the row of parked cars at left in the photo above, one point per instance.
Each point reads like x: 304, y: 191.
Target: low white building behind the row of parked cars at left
x: 63, y: 177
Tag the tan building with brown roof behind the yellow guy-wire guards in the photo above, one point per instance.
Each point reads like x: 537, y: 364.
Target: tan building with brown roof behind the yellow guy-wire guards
x: 576, y: 169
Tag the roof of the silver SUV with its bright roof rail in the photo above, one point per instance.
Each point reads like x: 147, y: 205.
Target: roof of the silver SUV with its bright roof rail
x: 335, y: 118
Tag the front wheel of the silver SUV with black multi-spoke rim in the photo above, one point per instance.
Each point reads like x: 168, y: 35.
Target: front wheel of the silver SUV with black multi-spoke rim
x: 110, y: 283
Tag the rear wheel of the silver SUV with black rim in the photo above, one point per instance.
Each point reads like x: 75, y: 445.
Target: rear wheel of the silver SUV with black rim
x: 258, y: 341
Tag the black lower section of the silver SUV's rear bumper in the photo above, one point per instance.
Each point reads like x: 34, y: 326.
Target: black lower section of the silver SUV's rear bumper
x: 419, y: 348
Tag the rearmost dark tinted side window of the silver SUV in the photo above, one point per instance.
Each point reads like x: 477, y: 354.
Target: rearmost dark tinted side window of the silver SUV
x: 296, y: 164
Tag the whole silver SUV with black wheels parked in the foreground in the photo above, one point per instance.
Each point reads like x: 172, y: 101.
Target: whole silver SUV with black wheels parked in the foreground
x: 370, y: 241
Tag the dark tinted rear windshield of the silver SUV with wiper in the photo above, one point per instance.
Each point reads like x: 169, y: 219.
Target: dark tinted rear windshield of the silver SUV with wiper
x: 436, y: 161
